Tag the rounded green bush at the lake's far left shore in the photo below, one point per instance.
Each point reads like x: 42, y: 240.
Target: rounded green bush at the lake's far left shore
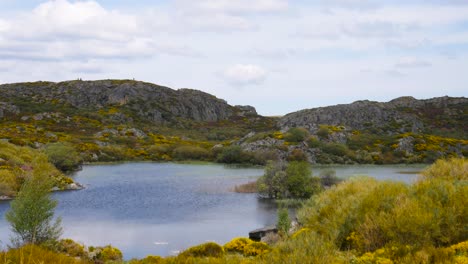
x: 63, y: 156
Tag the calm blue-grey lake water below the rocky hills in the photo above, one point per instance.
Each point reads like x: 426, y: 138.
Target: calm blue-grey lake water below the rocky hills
x: 162, y: 208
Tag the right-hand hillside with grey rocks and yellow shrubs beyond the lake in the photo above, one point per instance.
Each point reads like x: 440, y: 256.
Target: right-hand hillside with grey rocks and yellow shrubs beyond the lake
x: 404, y: 130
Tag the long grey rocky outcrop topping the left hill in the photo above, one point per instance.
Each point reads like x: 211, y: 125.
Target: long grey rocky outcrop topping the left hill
x: 151, y: 102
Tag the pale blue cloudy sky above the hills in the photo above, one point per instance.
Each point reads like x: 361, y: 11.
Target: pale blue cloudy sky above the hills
x: 279, y: 56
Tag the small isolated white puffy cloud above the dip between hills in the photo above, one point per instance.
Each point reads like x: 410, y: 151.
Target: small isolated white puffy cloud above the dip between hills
x: 245, y: 74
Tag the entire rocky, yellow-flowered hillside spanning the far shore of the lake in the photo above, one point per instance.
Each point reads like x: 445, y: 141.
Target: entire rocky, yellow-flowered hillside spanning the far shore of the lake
x: 111, y: 120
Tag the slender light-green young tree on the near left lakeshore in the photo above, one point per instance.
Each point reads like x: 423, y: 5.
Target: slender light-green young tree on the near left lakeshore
x: 32, y: 212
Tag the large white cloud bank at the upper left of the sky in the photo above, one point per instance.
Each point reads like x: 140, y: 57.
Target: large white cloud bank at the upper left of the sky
x: 64, y: 30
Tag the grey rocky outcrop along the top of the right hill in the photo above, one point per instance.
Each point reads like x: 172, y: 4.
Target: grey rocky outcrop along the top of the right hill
x: 404, y: 114
